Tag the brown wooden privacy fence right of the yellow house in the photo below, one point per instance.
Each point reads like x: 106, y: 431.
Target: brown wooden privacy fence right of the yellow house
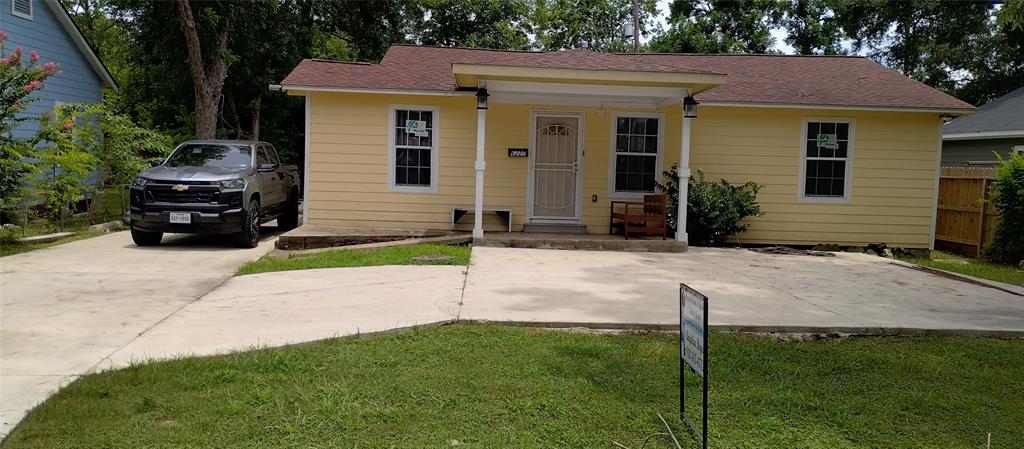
x: 966, y: 221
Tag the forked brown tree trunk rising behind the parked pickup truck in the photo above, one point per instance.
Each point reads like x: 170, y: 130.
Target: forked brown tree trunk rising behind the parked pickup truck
x: 208, y: 78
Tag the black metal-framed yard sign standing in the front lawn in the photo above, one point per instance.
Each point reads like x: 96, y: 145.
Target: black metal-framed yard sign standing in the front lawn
x: 694, y: 353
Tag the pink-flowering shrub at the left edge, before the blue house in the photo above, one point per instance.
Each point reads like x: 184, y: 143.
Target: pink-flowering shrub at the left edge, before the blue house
x: 21, y: 75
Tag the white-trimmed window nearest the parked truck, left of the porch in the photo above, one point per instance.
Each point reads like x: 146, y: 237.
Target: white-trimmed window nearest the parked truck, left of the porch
x: 414, y: 149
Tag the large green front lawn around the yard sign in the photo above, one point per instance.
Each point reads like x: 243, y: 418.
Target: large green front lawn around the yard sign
x: 493, y: 387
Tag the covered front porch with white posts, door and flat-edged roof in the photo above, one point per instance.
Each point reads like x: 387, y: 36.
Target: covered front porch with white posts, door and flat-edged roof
x: 566, y: 148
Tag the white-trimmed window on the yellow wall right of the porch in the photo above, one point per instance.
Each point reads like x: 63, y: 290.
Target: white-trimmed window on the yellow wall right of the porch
x: 827, y: 161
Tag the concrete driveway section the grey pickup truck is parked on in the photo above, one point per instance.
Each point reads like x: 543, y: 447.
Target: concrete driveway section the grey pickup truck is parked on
x: 64, y: 310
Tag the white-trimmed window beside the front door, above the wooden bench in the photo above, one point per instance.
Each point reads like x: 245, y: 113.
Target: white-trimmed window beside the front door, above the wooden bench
x: 637, y: 148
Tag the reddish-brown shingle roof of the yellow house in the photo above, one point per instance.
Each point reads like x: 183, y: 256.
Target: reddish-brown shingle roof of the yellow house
x: 843, y: 81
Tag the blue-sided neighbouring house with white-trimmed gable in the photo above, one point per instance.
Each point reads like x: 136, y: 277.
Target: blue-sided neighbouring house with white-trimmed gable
x: 45, y: 26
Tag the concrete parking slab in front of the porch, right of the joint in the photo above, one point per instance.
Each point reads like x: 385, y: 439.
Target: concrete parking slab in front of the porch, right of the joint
x: 745, y: 289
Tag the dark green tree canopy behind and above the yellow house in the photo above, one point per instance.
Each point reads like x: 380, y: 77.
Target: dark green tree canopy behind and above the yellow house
x: 971, y: 50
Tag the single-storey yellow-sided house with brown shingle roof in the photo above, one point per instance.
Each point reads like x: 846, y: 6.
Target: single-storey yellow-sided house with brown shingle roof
x: 847, y: 151
